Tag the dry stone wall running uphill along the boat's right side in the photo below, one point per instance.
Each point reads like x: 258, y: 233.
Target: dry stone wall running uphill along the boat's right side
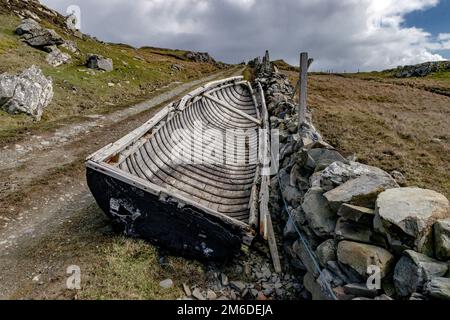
x: 350, y: 228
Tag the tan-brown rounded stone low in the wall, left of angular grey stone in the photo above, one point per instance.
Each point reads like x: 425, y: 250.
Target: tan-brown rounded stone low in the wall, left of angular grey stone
x: 360, y: 256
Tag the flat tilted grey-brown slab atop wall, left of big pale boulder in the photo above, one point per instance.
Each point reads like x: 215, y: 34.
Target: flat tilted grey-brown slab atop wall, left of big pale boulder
x: 361, y: 191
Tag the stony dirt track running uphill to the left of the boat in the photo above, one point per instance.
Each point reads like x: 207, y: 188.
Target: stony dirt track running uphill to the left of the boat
x: 45, y: 203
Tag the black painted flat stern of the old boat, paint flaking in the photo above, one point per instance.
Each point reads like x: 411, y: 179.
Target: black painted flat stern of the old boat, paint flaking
x: 186, y: 231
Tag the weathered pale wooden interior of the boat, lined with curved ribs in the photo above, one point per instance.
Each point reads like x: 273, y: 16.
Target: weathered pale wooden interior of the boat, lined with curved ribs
x: 226, y: 188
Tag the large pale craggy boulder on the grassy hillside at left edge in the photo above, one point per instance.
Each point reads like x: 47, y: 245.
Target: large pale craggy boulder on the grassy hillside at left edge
x: 29, y: 92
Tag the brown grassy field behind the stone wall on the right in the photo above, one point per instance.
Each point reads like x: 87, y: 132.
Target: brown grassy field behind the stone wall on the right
x: 396, y: 124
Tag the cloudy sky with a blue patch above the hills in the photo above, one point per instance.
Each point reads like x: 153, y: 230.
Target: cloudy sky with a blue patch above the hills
x: 342, y: 35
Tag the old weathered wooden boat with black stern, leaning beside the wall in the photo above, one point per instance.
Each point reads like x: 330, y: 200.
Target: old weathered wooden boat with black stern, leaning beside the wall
x: 155, y: 184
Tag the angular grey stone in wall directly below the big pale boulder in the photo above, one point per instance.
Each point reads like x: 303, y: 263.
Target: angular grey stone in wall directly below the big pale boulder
x: 414, y: 270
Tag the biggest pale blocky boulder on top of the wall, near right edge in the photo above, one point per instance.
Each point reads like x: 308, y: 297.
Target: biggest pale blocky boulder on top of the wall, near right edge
x: 407, y: 215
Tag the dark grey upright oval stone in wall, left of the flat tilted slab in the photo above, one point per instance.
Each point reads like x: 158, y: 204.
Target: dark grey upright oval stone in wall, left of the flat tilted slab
x: 321, y: 219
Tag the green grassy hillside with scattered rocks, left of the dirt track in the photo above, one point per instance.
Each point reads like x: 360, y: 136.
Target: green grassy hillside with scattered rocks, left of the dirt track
x: 138, y: 74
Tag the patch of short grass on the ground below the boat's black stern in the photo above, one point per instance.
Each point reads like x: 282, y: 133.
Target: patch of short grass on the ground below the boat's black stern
x: 131, y: 270
